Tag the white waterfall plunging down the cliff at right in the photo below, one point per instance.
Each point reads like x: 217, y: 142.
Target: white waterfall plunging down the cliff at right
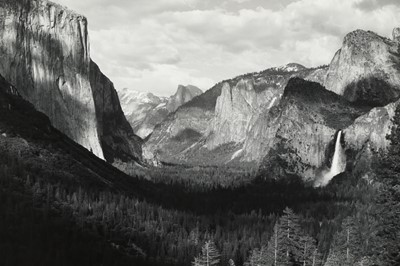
x: 338, y: 164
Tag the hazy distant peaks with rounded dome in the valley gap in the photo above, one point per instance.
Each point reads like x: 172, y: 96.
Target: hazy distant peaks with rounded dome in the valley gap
x: 145, y: 110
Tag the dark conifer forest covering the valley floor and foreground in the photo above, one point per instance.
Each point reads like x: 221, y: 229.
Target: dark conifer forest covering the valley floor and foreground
x: 47, y: 220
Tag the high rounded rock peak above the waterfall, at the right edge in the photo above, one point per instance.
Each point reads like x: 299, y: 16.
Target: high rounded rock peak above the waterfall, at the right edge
x: 366, y: 69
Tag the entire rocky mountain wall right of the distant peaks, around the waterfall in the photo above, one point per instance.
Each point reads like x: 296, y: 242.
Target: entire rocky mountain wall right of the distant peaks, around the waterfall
x: 290, y: 128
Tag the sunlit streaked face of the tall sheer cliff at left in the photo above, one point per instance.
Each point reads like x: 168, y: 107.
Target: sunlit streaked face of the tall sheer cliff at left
x: 45, y: 53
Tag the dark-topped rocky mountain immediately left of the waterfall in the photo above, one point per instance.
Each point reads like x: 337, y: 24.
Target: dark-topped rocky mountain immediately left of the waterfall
x: 295, y: 134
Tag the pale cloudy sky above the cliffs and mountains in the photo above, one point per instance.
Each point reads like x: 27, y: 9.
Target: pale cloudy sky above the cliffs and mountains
x: 154, y: 45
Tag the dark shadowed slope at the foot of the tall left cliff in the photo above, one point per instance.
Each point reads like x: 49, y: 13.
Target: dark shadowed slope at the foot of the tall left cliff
x: 28, y: 135
